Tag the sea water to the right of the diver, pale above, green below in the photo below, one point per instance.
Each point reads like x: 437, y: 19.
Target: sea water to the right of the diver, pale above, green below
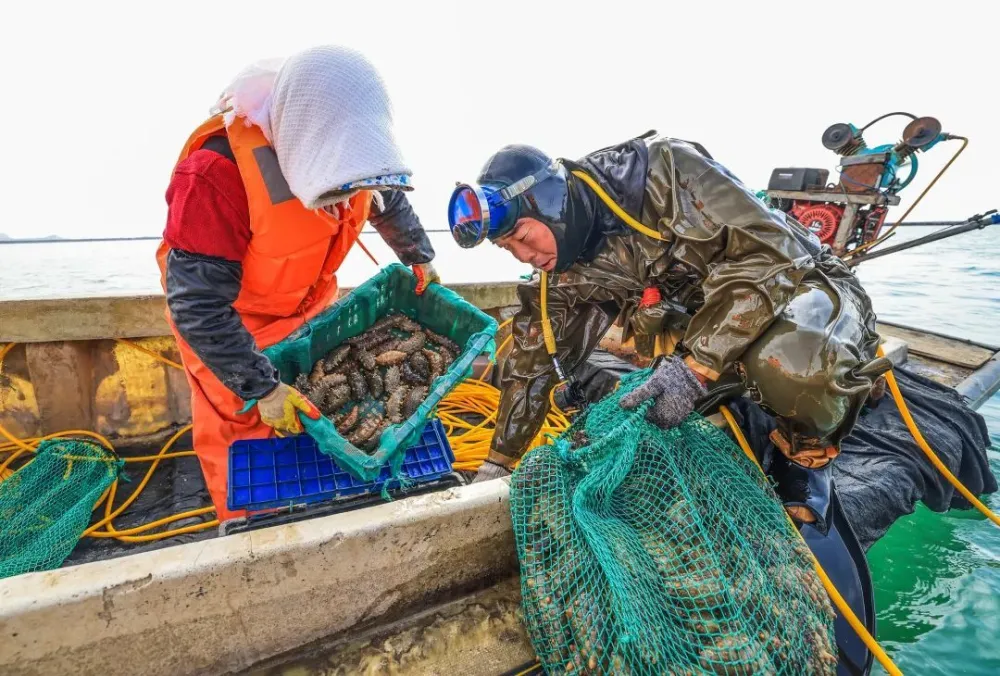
x: 937, y: 576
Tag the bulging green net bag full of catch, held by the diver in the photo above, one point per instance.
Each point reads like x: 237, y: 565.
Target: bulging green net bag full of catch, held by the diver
x: 646, y: 551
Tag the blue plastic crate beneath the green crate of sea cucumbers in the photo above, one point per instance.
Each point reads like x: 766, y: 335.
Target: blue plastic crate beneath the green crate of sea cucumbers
x: 267, y: 473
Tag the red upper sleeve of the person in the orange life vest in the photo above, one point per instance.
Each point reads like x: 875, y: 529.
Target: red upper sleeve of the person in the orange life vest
x: 207, y: 211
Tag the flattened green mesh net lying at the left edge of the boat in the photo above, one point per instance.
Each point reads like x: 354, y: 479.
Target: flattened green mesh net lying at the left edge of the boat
x: 46, y: 505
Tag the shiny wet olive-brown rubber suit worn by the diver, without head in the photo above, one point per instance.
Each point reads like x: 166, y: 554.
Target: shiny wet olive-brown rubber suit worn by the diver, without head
x: 747, y: 292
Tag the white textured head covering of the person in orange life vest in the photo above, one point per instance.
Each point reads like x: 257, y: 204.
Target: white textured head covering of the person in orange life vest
x: 328, y: 116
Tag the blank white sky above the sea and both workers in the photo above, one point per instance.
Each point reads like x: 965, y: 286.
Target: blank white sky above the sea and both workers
x: 99, y: 96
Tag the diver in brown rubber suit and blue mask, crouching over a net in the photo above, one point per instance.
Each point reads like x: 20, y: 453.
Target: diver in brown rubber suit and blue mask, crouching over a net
x: 739, y: 293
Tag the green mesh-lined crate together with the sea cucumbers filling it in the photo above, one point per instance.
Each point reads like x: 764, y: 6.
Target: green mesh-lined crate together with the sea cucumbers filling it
x: 377, y: 362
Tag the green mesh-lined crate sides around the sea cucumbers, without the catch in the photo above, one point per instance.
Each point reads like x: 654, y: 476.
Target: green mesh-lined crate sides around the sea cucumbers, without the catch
x: 391, y: 290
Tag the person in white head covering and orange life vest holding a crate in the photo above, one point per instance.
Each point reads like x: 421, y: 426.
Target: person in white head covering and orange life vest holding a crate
x: 267, y: 198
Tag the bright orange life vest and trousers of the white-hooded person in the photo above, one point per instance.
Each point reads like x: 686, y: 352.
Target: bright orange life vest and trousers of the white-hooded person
x: 289, y: 276
